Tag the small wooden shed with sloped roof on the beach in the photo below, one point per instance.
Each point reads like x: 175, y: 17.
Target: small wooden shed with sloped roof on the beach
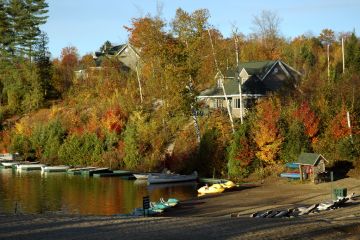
x: 311, y: 166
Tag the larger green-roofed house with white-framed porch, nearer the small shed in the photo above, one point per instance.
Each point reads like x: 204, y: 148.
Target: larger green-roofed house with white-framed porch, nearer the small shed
x: 256, y: 79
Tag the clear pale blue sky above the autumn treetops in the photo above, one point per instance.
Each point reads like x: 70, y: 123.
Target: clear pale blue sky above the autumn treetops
x: 87, y: 24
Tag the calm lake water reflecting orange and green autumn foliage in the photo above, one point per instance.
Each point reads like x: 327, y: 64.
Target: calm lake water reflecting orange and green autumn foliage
x: 33, y: 192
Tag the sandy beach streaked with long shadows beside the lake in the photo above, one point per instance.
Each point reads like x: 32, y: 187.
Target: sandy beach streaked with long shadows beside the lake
x: 208, y: 218
